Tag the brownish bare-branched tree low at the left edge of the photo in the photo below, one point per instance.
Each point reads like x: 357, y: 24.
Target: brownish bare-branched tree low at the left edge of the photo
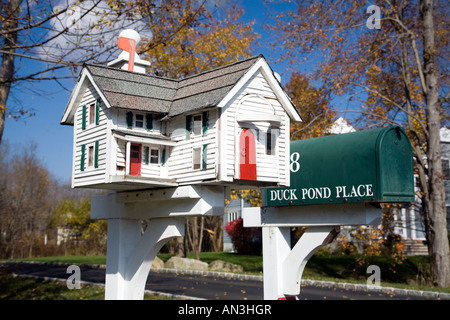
x: 25, y: 205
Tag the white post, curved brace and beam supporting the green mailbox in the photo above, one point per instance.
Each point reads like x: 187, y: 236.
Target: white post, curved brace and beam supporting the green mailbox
x: 283, y: 267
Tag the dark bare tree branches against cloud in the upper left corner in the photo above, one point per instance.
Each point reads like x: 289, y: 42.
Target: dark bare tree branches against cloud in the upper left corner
x: 40, y: 35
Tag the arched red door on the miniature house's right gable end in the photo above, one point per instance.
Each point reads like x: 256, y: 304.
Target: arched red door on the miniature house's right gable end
x: 247, y: 150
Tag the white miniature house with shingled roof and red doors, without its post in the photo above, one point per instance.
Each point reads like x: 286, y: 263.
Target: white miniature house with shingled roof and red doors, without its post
x: 227, y: 126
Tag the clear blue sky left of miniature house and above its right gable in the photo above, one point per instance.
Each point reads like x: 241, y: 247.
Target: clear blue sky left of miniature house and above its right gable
x: 48, y: 101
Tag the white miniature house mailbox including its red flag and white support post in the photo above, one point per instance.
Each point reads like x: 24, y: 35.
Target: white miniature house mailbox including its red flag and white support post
x: 169, y: 148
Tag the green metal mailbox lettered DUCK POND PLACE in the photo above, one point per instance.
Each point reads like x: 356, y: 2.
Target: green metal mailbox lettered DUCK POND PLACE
x: 365, y: 166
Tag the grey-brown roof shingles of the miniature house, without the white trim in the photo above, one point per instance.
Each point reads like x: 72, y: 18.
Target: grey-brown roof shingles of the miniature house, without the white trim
x: 125, y: 89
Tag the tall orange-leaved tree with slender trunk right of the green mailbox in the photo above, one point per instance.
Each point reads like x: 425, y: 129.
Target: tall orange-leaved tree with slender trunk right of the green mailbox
x: 391, y: 60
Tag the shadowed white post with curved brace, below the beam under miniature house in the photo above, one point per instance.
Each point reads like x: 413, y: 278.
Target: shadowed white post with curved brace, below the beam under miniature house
x: 130, y: 255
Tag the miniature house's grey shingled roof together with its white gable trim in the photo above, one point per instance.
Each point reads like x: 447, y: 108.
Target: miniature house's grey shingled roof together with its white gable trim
x: 123, y: 89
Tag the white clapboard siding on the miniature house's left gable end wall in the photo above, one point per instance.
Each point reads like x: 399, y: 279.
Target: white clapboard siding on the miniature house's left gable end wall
x: 87, y: 137
